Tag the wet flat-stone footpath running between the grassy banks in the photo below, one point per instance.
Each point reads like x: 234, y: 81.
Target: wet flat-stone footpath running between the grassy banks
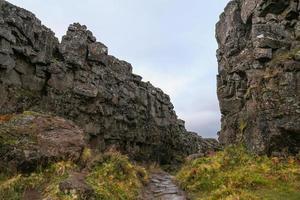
x: 162, y: 187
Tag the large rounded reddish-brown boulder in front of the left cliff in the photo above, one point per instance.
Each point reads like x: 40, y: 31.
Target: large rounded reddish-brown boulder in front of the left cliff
x: 31, y: 140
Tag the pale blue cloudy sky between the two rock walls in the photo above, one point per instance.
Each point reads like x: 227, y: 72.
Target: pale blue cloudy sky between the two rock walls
x: 170, y: 43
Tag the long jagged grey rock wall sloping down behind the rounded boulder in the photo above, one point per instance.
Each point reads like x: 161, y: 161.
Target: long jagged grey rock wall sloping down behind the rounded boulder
x: 78, y: 80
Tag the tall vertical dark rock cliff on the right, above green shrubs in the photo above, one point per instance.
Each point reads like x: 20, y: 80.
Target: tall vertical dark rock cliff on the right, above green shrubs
x: 259, y: 77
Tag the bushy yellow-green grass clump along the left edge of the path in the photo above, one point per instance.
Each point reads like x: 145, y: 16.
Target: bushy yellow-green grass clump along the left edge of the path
x: 116, y: 178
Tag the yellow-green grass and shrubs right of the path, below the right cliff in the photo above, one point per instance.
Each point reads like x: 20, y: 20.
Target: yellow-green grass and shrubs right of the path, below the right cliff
x: 235, y: 174
